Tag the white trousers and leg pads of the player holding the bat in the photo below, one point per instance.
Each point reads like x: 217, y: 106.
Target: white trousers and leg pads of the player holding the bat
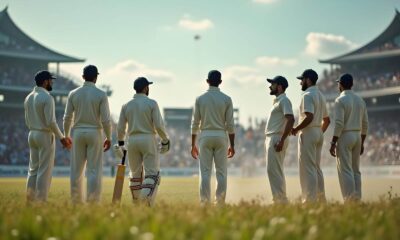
x: 143, y: 154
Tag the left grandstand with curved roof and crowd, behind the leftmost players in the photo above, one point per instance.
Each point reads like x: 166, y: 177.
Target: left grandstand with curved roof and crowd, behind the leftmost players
x: 20, y: 58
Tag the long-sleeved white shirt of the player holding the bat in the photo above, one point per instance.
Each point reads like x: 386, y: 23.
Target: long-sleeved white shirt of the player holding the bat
x: 143, y: 116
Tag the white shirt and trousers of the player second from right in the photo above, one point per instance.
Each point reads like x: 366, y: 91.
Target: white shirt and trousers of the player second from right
x: 310, y: 145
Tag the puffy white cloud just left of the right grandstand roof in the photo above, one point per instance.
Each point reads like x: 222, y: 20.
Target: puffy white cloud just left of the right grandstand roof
x: 323, y: 44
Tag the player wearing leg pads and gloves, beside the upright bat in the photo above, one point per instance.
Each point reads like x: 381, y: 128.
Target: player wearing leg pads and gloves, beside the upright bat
x: 143, y: 117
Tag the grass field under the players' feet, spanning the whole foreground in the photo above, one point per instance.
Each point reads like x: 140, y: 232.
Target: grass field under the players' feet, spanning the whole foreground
x: 177, y: 214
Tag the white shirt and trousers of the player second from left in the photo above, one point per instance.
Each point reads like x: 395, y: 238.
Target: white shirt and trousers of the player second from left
x: 87, y: 108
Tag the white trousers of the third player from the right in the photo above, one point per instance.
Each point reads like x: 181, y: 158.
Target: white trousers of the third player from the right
x: 275, y: 168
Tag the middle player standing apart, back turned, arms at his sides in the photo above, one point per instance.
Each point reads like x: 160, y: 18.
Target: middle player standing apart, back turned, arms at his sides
x: 213, y: 118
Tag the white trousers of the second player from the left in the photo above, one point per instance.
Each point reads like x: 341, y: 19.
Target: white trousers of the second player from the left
x: 87, y: 150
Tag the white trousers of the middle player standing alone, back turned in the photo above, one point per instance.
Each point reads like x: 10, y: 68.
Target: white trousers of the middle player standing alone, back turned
x: 213, y: 149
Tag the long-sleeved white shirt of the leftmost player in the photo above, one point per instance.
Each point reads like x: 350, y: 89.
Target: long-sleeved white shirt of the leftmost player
x: 39, y: 112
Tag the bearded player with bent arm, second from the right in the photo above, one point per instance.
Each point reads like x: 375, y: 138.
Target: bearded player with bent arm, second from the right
x: 313, y: 122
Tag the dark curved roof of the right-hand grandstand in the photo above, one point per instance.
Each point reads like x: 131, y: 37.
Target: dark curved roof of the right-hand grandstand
x: 391, y: 34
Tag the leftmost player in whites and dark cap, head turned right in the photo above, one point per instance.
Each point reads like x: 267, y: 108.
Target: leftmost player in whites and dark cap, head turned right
x: 41, y: 120
